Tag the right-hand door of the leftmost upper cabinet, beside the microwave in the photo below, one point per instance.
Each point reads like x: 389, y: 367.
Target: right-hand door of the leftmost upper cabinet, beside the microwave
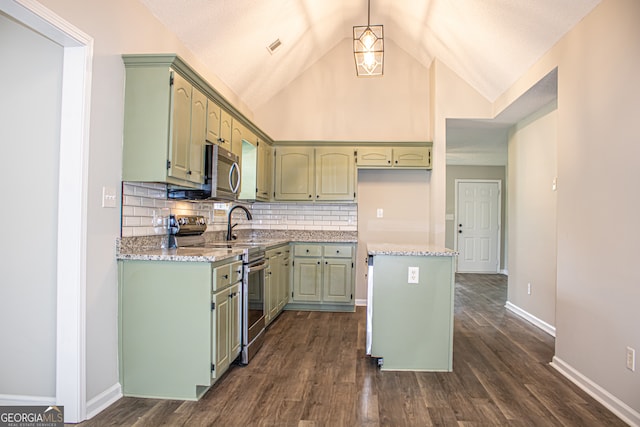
x: 198, y: 136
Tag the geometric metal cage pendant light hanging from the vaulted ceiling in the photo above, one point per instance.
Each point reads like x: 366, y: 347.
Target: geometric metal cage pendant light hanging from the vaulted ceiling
x: 368, y: 48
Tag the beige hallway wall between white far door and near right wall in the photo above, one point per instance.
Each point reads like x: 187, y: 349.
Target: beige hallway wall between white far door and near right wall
x: 532, y: 214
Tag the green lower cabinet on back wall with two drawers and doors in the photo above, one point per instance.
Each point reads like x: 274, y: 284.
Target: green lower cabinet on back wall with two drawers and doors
x: 323, y: 277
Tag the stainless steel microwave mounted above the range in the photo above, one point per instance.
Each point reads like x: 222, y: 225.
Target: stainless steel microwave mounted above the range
x: 222, y: 177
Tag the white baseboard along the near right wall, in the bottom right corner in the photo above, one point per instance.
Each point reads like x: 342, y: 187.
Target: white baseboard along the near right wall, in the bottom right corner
x: 615, y: 405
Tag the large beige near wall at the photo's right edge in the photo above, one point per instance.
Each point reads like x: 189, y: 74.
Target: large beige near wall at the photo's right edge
x: 597, y: 314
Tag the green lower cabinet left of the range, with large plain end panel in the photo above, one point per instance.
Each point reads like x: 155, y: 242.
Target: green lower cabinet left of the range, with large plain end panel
x: 168, y: 332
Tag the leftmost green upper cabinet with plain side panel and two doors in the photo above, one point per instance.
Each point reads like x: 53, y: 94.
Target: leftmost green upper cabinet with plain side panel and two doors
x: 164, y: 126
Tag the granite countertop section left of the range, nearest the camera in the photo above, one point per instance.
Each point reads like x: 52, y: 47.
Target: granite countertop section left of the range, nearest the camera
x: 182, y: 254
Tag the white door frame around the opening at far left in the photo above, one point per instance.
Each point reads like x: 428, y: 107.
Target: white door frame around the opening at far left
x: 72, y: 202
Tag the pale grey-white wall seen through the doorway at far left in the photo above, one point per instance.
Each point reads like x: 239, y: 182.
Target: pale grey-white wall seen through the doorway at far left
x: 30, y: 140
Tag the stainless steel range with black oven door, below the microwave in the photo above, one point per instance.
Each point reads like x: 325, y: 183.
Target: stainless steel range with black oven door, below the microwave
x: 253, y: 283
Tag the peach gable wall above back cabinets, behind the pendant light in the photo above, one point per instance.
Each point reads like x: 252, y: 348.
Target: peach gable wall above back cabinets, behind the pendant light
x: 329, y: 103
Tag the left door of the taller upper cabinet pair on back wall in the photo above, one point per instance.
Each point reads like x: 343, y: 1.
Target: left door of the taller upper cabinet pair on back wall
x: 294, y: 173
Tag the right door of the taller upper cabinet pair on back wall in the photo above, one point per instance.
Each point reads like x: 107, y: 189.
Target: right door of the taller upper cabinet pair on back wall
x: 335, y: 173
